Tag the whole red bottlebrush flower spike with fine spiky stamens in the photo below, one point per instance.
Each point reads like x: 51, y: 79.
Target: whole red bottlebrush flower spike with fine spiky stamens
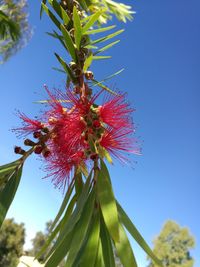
x: 79, y: 131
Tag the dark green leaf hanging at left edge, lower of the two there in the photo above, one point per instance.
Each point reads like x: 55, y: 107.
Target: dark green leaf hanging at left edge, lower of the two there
x: 8, y: 192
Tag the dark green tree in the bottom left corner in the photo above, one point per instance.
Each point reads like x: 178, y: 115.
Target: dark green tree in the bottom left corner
x: 12, y: 238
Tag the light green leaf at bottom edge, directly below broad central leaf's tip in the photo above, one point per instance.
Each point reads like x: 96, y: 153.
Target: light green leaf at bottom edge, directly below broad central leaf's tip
x: 124, y: 250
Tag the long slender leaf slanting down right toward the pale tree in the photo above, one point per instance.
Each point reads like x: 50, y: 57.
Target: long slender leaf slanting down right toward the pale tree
x: 136, y: 235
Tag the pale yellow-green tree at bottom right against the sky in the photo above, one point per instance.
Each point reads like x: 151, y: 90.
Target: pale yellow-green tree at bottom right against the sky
x: 173, y: 246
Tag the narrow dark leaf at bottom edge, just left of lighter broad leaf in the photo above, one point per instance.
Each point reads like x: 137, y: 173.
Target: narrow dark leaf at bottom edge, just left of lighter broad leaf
x: 107, y: 249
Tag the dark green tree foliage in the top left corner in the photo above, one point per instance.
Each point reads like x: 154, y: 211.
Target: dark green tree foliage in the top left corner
x: 14, y: 28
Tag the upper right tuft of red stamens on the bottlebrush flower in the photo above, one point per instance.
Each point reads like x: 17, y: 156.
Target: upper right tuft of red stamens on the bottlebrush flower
x: 116, y: 112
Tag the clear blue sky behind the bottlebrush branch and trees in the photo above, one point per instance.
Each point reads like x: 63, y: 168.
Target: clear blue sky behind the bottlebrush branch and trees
x: 160, y: 53
